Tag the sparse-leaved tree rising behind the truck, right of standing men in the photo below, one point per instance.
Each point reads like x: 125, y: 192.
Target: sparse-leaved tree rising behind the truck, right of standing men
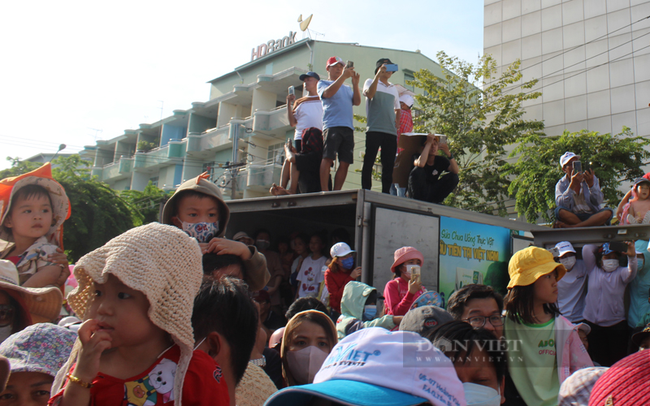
x: 481, y: 117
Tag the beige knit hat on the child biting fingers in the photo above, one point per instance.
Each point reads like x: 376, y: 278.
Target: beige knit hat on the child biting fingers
x: 162, y: 262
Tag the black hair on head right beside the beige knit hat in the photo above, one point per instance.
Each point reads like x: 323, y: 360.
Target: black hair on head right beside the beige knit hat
x: 224, y: 306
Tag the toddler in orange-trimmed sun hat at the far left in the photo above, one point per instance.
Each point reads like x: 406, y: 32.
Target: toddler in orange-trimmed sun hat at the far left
x: 33, y: 207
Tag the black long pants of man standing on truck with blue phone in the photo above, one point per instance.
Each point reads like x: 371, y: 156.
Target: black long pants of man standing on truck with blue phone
x: 388, y: 144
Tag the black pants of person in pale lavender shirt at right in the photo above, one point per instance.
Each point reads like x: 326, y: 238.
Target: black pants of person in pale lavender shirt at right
x: 608, y: 344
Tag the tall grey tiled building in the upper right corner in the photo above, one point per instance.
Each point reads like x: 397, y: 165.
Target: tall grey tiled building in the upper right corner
x: 591, y: 56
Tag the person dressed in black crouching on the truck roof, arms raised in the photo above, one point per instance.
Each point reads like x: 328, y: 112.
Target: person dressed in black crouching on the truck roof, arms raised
x: 425, y: 182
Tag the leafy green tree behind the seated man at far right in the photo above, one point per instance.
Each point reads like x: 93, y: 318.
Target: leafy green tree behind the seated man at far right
x: 613, y: 158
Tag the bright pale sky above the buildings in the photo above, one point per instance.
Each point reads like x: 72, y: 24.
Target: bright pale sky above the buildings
x: 74, y: 72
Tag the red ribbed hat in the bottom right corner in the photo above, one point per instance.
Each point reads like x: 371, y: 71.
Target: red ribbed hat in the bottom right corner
x: 625, y: 383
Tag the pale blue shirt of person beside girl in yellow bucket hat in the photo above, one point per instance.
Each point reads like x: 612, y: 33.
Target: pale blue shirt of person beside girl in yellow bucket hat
x: 572, y: 289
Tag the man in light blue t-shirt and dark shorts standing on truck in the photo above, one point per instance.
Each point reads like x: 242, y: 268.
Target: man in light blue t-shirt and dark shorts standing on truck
x: 338, y: 130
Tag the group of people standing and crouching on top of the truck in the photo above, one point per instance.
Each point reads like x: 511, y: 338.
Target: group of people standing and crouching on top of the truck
x: 323, y: 119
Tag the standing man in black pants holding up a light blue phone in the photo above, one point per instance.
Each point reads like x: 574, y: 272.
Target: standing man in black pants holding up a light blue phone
x: 383, y: 112
